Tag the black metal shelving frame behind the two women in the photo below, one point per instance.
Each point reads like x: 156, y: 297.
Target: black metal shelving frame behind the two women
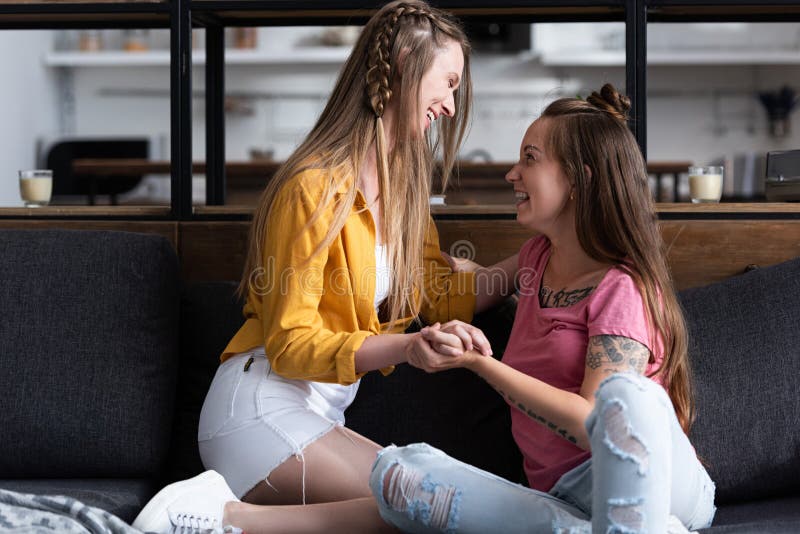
x: 215, y: 15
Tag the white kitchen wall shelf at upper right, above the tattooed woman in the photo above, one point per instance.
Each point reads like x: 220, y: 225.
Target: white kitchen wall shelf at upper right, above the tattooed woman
x: 616, y: 58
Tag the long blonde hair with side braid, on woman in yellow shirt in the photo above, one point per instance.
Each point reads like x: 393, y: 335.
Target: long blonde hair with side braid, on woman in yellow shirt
x: 352, y: 121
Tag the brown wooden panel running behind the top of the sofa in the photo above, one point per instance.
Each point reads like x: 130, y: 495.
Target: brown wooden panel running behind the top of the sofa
x: 699, y: 251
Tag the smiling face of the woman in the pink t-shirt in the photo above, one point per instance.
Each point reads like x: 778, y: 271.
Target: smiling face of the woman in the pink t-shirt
x: 542, y: 189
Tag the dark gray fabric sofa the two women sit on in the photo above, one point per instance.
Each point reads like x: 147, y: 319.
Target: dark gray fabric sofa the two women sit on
x: 107, y: 358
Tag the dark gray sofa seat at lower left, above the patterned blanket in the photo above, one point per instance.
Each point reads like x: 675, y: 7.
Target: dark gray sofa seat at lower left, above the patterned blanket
x: 122, y: 497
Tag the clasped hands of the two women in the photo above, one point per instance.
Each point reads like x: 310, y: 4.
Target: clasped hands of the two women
x: 447, y: 346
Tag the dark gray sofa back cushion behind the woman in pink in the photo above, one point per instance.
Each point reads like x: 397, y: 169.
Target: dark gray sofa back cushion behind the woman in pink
x: 745, y: 353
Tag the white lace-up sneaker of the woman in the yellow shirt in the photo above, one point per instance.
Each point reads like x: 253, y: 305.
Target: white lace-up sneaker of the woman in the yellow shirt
x: 194, y: 504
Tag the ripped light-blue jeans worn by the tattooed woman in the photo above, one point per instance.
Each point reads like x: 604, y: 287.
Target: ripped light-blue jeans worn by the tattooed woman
x: 642, y: 470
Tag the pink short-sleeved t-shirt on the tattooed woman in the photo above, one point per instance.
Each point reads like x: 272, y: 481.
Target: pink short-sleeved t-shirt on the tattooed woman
x: 550, y: 344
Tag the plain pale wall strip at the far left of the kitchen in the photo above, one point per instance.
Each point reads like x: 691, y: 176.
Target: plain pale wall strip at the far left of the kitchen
x: 28, y: 100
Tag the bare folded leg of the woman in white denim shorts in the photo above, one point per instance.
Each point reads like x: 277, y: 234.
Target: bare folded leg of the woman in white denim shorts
x: 337, y: 468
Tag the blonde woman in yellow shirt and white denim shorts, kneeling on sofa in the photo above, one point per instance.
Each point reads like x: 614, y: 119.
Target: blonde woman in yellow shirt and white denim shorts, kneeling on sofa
x: 343, y: 255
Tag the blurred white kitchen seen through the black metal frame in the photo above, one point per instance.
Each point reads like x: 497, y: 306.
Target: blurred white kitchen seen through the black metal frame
x: 703, y: 105
